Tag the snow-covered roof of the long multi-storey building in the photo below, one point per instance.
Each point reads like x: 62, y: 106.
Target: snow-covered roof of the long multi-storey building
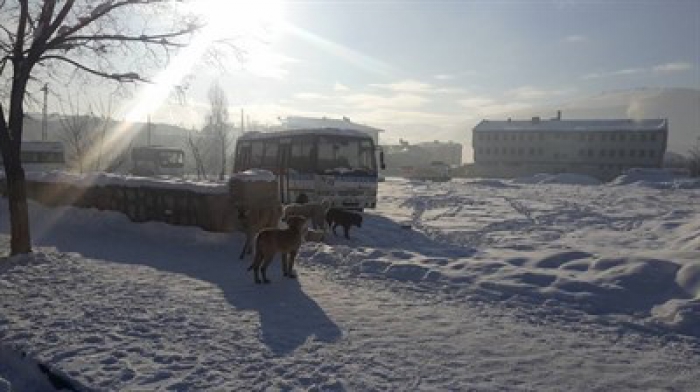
x: 556, y: 125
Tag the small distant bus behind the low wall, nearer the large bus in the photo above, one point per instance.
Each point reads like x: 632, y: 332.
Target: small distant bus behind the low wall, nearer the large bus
x: 157, y: 161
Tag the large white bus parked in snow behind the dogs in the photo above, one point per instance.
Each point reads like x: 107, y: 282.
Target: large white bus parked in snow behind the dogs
x: 313, y: 164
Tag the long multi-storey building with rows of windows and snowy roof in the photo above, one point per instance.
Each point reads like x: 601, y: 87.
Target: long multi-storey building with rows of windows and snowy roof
x: 600, y: 148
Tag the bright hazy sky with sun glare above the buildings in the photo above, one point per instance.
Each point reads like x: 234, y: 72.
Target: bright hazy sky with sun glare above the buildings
x: 423, y: 68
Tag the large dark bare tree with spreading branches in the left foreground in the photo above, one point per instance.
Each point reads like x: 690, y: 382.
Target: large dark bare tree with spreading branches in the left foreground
x: 40, y: 39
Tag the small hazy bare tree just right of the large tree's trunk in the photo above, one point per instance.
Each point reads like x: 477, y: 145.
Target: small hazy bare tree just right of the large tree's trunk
x: 76, y: 132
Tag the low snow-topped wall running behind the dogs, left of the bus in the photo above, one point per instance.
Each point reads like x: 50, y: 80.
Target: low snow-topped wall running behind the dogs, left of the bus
x: 209, y: 207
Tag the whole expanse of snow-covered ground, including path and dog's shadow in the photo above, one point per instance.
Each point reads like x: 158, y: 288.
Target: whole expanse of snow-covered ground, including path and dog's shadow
x: 544, y: 283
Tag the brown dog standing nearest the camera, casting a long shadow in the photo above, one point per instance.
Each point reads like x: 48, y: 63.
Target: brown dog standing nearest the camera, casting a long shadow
x: 285, y: 241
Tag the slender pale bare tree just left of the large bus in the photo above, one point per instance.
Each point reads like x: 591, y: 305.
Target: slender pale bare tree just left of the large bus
x: 218, y: 125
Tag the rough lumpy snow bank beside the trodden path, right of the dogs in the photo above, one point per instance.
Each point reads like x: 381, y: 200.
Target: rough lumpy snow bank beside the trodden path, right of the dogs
x: 617, y: 251
